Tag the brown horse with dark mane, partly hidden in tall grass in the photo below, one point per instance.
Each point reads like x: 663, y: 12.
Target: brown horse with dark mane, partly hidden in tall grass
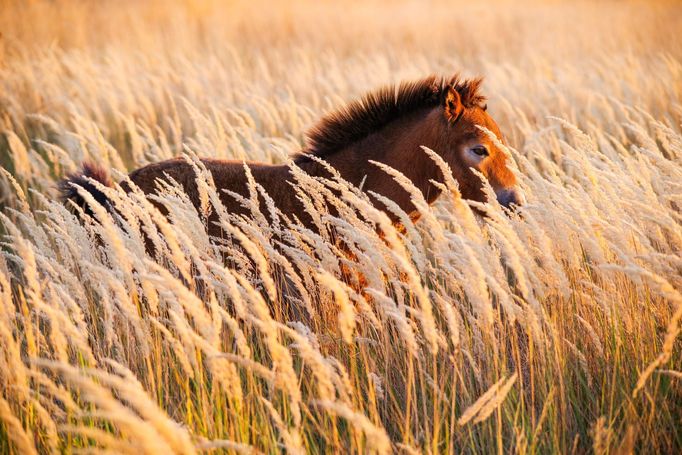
x: 388, y: 126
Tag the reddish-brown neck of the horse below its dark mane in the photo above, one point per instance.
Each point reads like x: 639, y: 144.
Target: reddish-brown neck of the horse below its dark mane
x: 396, y: 145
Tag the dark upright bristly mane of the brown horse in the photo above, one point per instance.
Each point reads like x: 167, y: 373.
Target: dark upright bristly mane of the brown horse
x: 360, y: 118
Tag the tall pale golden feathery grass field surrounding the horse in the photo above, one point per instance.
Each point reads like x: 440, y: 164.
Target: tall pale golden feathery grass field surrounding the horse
x: 556, y: 330
